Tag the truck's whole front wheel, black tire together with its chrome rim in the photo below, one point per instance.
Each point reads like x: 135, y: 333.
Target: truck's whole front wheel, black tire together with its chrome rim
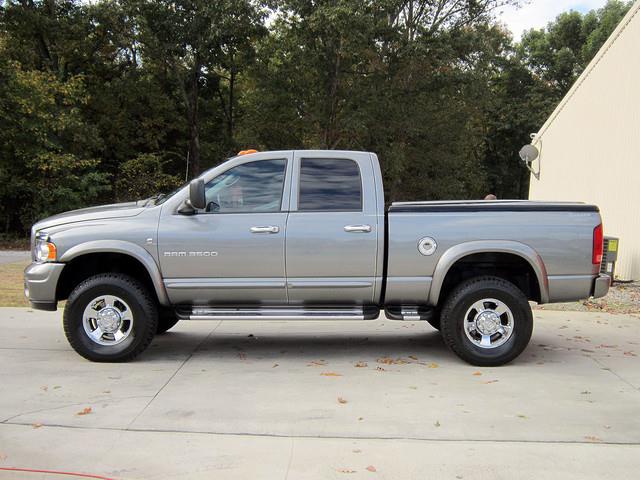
x: 110, y: 317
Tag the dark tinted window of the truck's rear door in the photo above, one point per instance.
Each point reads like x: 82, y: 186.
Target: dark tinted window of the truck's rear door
x: 329, y: 184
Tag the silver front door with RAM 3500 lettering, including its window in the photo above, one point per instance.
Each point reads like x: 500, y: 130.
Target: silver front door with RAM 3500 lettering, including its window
x: 233, y: 251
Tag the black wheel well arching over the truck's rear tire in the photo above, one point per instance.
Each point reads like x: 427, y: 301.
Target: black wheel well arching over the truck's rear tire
x: 507, y: 266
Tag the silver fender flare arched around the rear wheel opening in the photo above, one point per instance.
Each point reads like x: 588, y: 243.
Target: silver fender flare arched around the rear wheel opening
x: 455, y: 253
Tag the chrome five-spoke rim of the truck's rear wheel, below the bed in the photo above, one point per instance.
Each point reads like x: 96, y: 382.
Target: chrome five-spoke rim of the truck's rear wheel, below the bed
x: 488, y: 323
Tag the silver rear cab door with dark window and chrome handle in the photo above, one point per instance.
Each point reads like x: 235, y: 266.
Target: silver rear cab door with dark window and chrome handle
x: 332, y: 229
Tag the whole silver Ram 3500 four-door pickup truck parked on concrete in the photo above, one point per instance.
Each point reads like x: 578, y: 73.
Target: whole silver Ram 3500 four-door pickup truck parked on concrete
x: 306, y: 235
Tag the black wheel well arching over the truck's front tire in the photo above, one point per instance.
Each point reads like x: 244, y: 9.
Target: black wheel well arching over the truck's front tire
x: 90, y: 264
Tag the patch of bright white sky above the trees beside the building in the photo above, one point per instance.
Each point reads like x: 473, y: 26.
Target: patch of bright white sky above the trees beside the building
x: 537, y: 13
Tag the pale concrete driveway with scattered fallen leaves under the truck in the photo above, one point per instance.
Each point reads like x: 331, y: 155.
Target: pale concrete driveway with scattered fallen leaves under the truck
x: 303, y: 400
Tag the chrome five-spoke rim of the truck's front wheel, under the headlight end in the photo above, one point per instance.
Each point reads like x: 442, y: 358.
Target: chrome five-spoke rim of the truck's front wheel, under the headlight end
x: 107, y: 320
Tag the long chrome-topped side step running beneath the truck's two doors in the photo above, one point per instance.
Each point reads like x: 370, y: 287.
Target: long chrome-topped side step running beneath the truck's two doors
x: 276, y: 313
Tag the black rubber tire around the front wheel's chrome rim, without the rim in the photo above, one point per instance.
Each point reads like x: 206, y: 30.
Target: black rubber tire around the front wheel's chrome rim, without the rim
x: 143, y: 326
